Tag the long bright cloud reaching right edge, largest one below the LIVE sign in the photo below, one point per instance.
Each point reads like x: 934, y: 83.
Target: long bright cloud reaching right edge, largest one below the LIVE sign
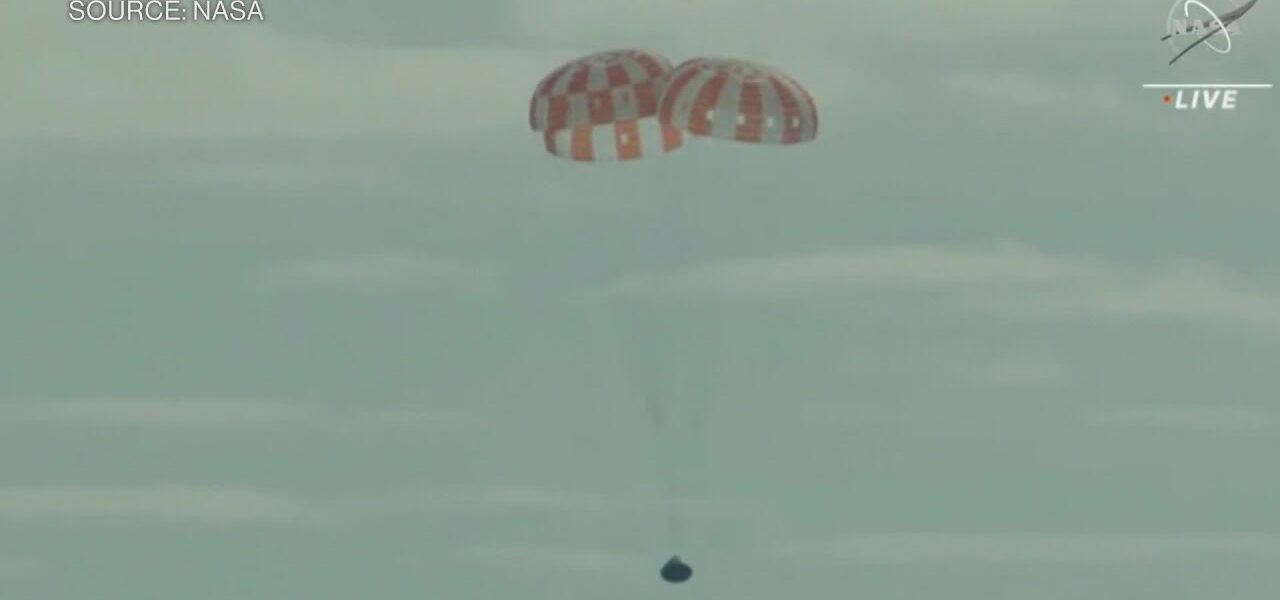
x: 1008, y: 280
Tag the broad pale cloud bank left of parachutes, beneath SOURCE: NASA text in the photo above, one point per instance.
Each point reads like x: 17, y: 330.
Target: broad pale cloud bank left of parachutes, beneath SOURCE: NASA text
x: 106, y: 83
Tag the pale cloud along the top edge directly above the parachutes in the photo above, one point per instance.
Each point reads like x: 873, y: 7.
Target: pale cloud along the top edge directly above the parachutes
x: 781, y: 28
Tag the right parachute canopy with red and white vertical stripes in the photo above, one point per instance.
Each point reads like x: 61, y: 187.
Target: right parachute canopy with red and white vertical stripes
x: 738, y: 100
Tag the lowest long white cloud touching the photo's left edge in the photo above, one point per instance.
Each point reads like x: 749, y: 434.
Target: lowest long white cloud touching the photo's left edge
x: 161, y: 502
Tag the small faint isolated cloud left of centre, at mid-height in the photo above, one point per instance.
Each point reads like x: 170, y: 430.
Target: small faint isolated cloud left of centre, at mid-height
x: 386, y: 271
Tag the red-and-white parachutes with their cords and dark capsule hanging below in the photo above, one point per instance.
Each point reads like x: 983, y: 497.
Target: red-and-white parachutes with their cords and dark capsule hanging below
x: 621, y: 106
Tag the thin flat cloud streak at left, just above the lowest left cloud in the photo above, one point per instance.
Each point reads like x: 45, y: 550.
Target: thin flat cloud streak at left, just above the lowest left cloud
x: 163, y: 413
